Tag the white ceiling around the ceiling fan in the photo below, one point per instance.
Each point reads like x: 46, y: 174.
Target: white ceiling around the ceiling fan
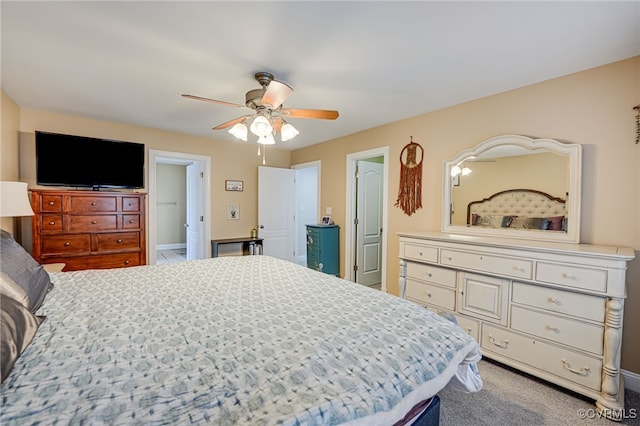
x: 374, y: 62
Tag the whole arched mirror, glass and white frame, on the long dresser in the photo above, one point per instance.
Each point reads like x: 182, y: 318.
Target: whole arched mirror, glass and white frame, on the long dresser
x: 508, y: 162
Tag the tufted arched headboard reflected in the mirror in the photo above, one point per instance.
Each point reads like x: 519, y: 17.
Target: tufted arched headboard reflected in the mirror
x: 519, y: 209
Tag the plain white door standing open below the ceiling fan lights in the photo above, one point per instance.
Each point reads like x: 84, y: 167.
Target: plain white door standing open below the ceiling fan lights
x: 276, y: 211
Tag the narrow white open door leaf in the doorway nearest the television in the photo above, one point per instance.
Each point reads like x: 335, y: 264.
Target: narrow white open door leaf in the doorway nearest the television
x: 195, y: 215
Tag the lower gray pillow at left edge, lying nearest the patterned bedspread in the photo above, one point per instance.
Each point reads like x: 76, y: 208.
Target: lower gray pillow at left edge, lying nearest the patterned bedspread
x: 17, y: 328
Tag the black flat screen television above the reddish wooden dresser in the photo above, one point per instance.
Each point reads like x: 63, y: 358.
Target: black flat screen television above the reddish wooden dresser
x: 78, y: 161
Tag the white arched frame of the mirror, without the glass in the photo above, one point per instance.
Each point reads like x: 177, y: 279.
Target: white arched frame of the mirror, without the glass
x: 574, y: 152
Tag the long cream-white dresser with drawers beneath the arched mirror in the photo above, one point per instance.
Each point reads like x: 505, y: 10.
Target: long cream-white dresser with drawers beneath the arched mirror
x: 553, y: 310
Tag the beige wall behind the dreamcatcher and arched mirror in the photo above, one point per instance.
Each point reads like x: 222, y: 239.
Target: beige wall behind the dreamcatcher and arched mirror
x: 593, y: 108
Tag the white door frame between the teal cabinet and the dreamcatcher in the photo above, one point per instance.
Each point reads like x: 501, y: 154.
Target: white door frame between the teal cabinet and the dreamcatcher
x: 350, y: 211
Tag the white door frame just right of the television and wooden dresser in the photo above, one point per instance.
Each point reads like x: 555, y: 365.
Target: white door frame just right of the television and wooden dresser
x: 180, y: 158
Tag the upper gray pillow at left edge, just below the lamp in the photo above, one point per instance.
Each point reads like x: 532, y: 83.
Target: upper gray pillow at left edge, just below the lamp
x: 18, y: 264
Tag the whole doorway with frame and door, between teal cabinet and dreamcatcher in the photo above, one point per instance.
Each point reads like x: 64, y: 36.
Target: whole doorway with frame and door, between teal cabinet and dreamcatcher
x: 366, y: 217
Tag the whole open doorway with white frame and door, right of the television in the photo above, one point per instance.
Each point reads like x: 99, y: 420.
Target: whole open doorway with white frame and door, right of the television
x: 194, y: 217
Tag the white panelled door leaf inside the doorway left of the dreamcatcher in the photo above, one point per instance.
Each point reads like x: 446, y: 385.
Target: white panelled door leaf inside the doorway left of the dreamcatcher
x: 369, y: 223
